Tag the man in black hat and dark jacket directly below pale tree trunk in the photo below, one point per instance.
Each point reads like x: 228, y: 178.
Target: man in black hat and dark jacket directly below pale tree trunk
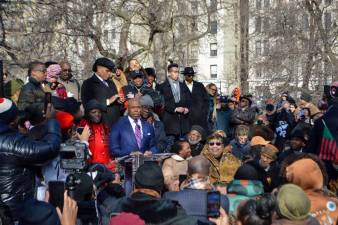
x: 244, y: 114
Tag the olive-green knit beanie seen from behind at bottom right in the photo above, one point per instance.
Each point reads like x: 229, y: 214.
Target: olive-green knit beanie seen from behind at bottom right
x: 293, y: 203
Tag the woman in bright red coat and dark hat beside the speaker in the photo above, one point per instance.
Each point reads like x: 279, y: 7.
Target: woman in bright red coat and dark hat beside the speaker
x: 98, y: 135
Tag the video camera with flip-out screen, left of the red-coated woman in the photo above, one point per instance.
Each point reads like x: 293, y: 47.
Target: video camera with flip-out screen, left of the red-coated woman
x: 73, y: 156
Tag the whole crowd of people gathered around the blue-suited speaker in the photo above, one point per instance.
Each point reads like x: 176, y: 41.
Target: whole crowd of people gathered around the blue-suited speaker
x: 272, y: 164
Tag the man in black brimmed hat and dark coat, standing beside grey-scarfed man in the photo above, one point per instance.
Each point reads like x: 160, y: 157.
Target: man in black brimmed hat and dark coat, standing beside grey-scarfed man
x: 200, y: 99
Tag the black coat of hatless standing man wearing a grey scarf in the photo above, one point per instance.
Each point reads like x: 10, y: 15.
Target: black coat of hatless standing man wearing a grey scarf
x: 175, y: 123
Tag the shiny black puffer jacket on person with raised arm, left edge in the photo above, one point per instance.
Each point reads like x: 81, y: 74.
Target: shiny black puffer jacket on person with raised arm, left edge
x: 18, y: 155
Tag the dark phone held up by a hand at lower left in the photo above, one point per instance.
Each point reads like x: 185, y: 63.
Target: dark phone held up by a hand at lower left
x: 56, y: 190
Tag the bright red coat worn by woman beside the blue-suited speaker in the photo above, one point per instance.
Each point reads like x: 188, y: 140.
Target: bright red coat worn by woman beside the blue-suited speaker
x: 98, y: 144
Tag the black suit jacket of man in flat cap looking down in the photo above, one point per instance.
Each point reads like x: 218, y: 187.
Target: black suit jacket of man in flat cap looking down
x: 94, y: 88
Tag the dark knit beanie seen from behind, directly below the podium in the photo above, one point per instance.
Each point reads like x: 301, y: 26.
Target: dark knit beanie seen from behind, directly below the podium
x: 149, y: 176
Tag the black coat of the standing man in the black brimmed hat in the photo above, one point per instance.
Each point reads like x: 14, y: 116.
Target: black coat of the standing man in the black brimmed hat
x: 199, y: 110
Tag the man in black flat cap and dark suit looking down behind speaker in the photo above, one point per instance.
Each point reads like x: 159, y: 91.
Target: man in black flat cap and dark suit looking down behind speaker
x: 101, y: 88
